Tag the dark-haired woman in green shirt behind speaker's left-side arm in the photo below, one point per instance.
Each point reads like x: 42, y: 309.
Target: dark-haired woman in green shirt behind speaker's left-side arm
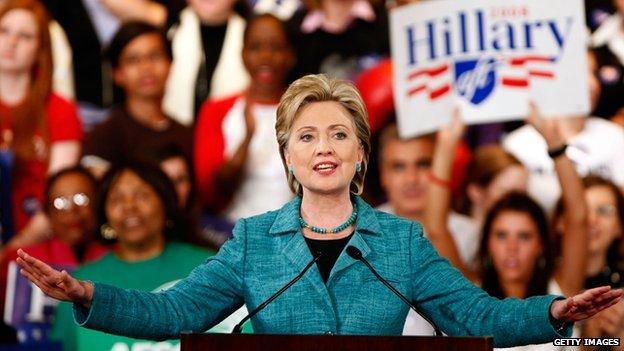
x: 137, y: 209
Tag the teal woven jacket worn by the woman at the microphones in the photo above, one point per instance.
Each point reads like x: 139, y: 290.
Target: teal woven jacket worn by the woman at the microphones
x: 269, y: 250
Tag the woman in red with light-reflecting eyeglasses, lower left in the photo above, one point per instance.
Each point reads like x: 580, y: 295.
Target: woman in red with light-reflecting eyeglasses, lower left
x: 69, y: 199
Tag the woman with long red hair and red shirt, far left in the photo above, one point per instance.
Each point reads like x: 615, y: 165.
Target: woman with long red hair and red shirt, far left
x: 39, y: 131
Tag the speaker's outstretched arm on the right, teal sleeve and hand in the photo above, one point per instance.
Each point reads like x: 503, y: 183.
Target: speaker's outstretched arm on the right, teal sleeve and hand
x: 462, y: 309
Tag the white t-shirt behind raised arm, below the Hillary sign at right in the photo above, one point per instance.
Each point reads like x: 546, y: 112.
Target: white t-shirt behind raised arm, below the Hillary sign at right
x: 598, y: 150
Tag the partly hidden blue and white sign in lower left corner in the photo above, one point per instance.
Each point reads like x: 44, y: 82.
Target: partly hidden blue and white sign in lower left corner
x: 28, y: 309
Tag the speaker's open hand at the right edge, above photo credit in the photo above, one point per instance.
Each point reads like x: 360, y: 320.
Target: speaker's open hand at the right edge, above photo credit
x: 585, y: 304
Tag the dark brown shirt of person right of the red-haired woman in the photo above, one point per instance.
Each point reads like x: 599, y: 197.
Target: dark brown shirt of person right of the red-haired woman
x: 122, y: 138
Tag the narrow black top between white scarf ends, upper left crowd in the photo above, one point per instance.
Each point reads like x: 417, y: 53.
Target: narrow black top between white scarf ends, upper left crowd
x: 212, y: 42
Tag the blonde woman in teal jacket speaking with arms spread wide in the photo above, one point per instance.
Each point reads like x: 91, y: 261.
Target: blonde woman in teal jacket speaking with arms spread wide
x: 323, y: 135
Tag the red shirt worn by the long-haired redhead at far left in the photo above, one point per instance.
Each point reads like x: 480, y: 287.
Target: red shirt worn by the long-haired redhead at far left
x: 29, y: 176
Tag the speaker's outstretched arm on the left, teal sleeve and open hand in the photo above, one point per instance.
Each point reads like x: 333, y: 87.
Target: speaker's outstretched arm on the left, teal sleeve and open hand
x: 209, y: 294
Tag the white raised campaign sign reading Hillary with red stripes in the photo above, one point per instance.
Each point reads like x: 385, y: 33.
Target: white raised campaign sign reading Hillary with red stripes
x: 490, y: 58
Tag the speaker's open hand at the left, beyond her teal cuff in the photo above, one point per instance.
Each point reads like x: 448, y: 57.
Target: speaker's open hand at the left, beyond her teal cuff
x: 57, y: 284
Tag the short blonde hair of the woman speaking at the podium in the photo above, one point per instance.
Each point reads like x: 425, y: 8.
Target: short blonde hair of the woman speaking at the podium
x: 319, y: 88
